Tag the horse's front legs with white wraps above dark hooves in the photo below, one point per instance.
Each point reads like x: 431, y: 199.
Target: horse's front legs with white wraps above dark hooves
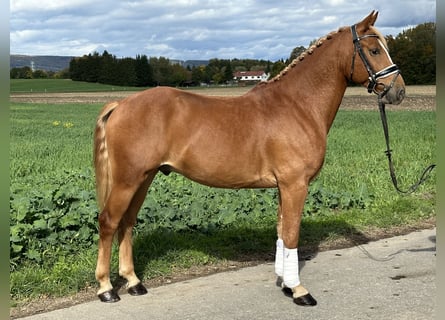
x: 292, y: 198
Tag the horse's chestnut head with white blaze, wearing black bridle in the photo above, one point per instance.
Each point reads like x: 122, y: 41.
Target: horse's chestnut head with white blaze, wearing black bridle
x: 371, y: 63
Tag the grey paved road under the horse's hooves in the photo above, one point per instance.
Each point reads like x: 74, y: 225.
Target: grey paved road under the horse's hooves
x: 387, y: 279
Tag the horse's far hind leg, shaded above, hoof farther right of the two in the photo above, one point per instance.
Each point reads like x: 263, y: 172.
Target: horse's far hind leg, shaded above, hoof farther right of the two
x: 125, y: 230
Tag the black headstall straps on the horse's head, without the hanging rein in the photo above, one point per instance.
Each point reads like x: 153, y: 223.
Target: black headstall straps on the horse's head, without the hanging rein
x: 373, y: 76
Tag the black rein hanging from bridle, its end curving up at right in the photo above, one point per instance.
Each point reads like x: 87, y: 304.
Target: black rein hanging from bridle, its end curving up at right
x: 388, y: 151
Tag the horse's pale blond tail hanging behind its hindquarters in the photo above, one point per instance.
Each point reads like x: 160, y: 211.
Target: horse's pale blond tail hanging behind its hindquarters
x: 101, y: 160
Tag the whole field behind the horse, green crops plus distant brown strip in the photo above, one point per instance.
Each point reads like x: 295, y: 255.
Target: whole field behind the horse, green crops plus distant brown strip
x: 184, y: 226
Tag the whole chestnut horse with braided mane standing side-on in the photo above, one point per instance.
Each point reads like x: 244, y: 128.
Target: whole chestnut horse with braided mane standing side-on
x: 273, y: 136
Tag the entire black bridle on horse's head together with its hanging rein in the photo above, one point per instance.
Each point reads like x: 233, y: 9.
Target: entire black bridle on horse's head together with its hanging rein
x: 372, y: 87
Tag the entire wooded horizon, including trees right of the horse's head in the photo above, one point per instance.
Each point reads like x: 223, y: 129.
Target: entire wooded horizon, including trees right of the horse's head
x: 413, y: 50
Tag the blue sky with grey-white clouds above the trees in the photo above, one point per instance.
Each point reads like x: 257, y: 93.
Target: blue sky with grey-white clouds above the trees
x: 196, y: 30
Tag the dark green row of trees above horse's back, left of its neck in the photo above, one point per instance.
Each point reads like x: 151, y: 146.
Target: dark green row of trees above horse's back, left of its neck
x: 143, y: 71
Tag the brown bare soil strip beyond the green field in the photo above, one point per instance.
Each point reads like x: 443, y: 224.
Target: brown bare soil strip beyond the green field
x: 418, y: 97
